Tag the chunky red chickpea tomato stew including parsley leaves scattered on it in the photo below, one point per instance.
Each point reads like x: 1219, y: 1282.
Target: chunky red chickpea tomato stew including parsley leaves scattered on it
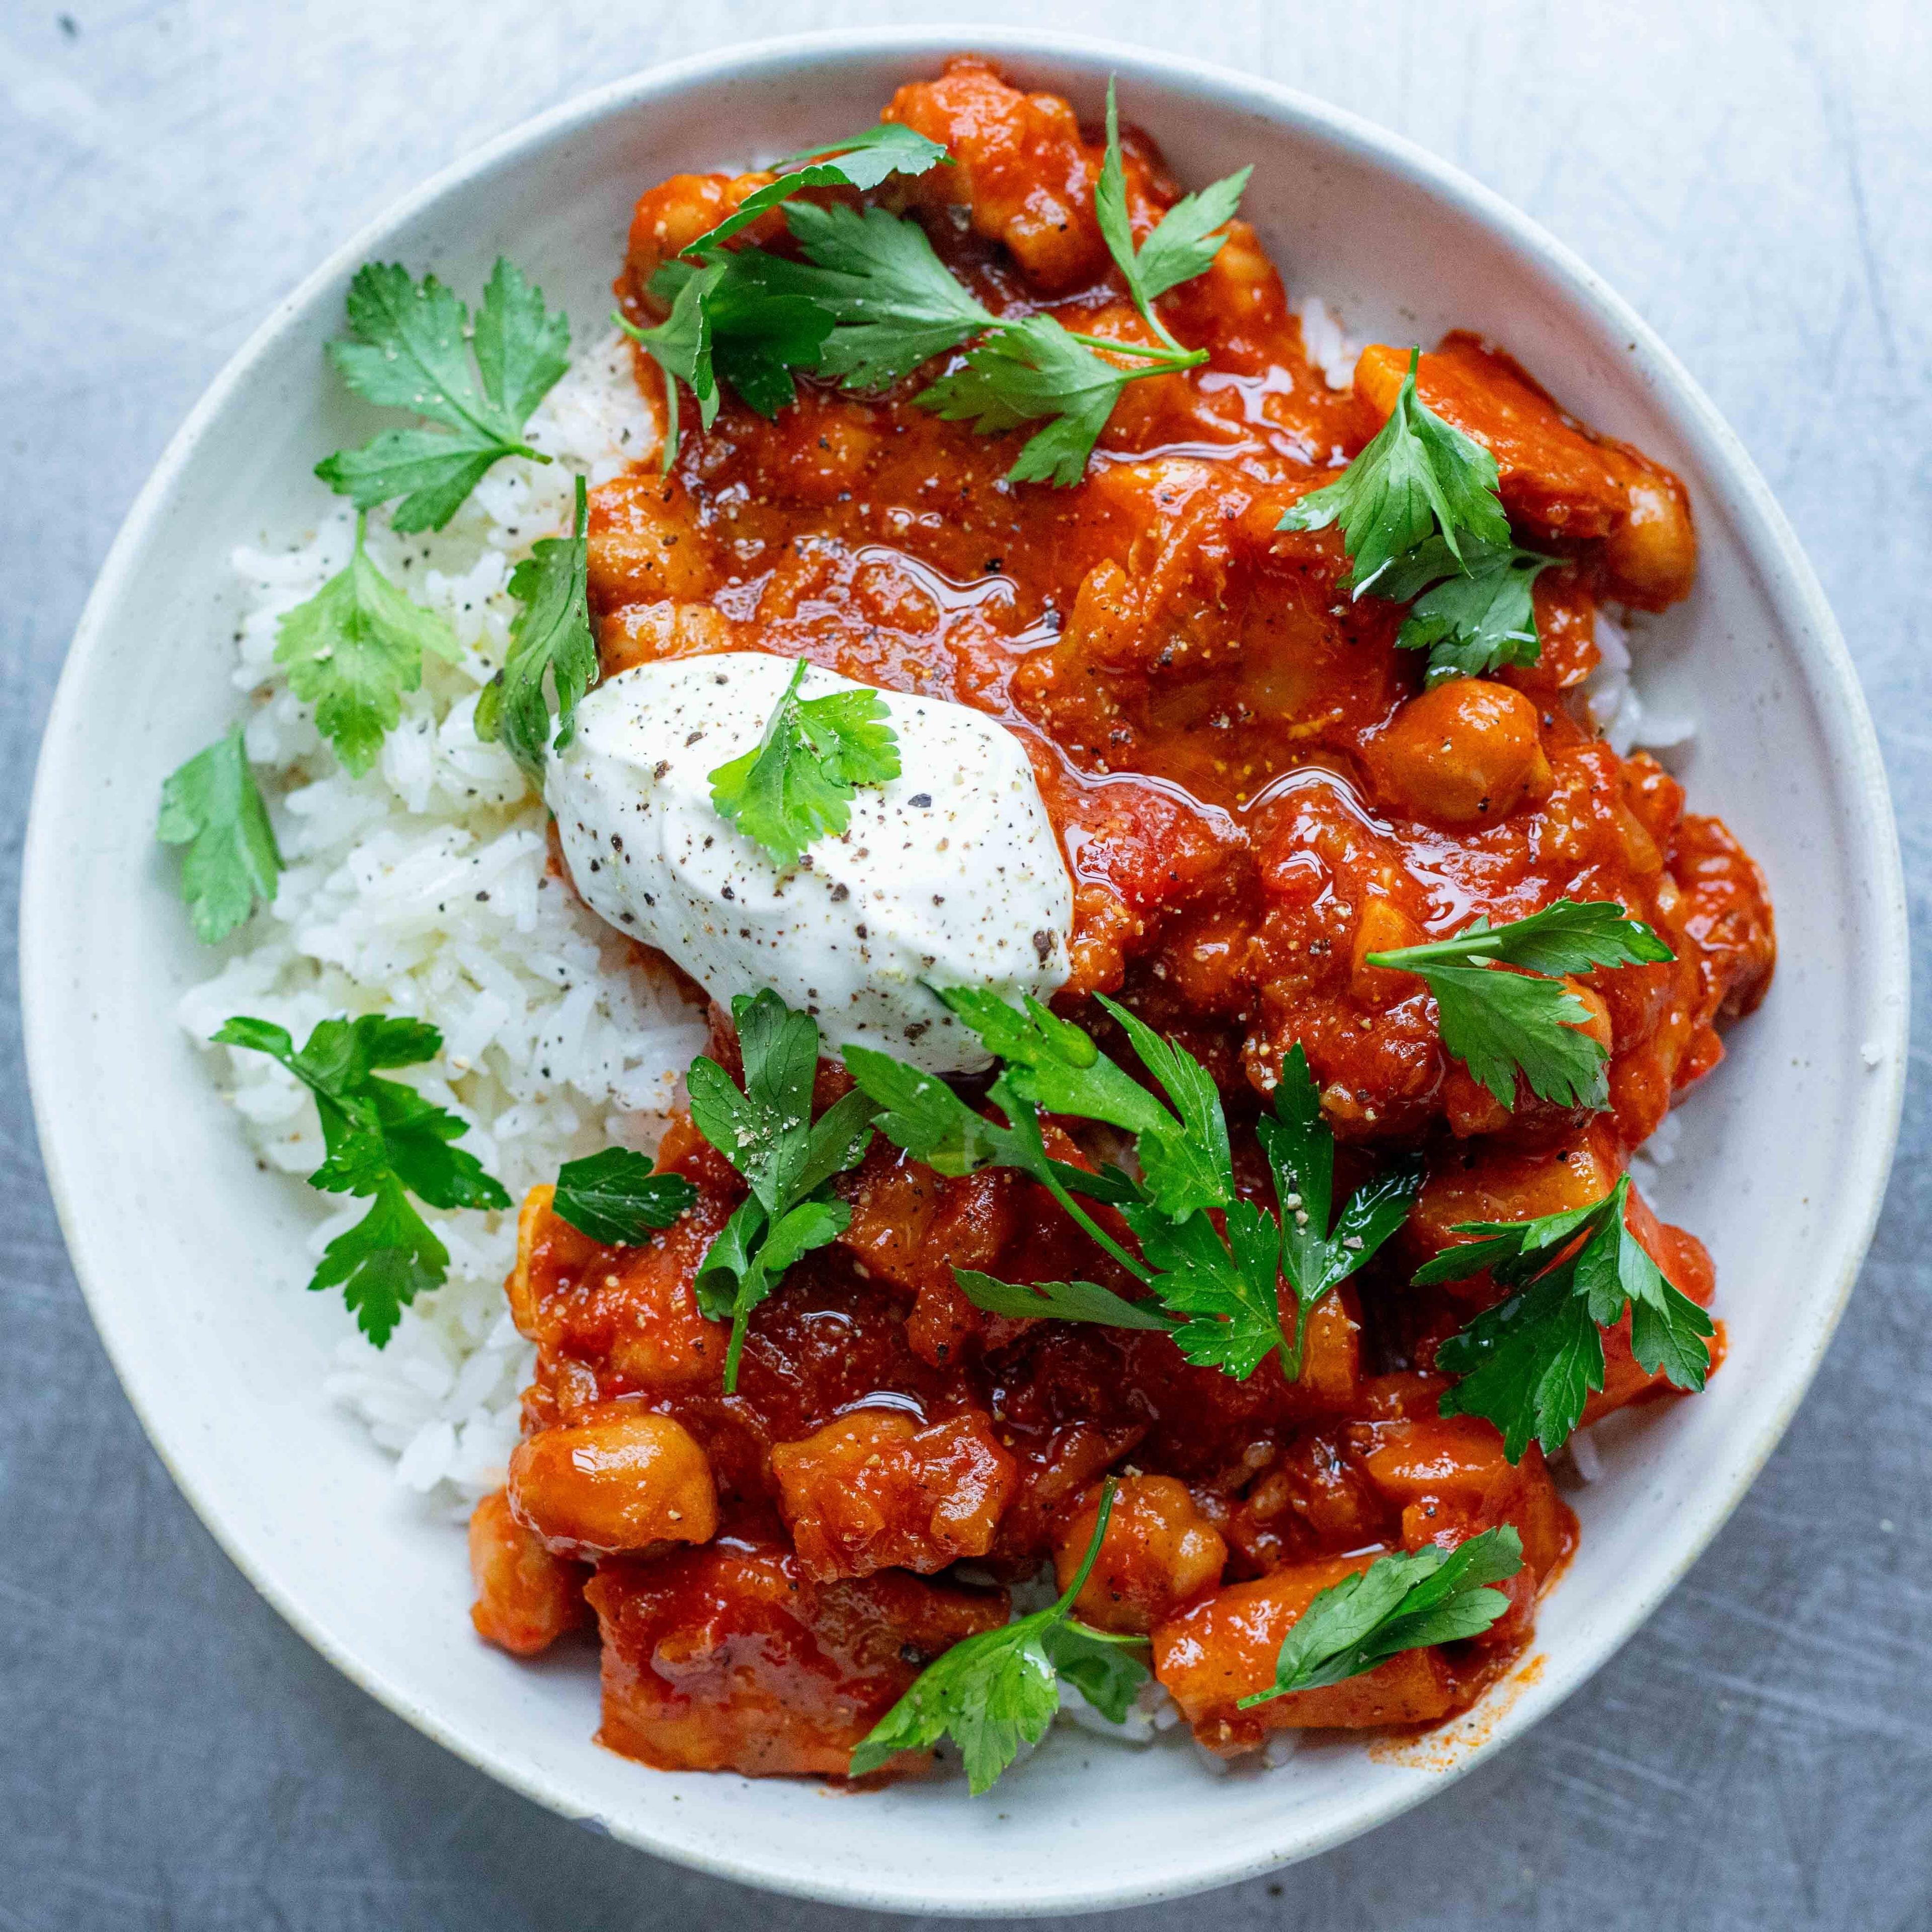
x: 1266, y: 780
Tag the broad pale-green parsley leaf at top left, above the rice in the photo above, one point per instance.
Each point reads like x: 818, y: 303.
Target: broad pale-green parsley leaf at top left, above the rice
x: 411, y: 349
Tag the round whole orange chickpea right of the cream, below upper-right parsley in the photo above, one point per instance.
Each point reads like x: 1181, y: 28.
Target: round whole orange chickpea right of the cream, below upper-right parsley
x: 1465, y: 753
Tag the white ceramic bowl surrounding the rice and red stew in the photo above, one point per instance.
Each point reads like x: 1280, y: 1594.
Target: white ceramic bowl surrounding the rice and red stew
x: 190, y: 1257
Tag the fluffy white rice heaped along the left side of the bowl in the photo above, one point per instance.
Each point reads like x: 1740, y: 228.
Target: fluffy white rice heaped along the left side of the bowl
x: 422, y: 890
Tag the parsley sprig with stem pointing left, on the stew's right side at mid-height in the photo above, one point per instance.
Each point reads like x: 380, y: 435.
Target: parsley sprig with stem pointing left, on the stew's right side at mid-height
x: 1504, y: 1025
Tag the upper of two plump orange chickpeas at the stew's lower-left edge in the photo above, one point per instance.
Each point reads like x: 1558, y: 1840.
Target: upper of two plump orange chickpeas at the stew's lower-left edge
x: 619, y: 1481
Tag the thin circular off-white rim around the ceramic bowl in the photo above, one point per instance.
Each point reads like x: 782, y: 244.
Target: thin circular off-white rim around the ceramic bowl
x: 1765, y: 538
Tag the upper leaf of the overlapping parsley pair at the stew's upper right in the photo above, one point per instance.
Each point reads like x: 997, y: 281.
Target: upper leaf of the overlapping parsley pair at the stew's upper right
x: 1419, y: 478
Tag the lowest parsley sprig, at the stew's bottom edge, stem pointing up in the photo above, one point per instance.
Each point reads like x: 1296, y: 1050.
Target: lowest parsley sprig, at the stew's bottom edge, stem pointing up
x: 1000, y: 1690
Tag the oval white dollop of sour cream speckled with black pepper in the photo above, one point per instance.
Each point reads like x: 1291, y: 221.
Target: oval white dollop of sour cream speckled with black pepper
x: 948, y: 876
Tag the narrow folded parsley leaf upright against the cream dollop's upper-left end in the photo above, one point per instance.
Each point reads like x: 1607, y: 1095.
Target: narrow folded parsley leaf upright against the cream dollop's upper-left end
x: 552, y: 648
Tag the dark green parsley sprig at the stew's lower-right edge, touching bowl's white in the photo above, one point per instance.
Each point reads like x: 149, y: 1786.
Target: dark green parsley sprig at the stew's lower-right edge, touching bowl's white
x: 1531, y: 1363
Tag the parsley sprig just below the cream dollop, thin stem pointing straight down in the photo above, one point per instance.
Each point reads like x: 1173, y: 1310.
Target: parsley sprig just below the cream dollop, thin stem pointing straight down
x: 768, y: 1133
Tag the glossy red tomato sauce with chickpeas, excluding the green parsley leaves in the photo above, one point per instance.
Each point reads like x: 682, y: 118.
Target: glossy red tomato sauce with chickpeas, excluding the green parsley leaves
x: 1255, y: 793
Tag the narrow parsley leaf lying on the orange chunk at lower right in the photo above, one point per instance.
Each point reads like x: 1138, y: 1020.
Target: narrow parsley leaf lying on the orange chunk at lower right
x: 1400, y: 1603
